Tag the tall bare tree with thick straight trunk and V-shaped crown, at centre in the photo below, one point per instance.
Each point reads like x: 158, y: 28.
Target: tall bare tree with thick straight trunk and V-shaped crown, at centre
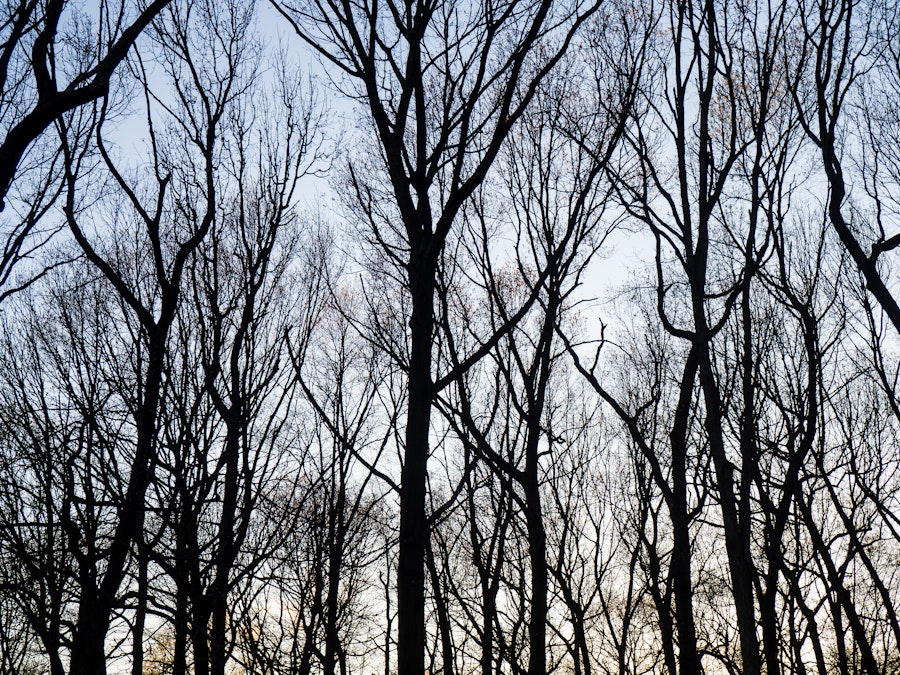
x: 442, y: 86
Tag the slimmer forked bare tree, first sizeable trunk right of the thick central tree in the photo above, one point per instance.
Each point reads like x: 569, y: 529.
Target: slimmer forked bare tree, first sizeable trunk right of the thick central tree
x: 552, y: 173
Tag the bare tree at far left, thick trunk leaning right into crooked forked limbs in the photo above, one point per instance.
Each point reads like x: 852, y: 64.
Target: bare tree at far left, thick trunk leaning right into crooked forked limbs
x: 175, y: 215
